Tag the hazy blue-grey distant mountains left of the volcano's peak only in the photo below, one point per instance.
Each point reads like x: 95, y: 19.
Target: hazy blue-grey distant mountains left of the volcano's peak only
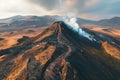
x: 25, y: 21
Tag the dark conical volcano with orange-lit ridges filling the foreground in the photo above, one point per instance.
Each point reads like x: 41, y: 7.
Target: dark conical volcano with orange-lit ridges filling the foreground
x: 60, y: 53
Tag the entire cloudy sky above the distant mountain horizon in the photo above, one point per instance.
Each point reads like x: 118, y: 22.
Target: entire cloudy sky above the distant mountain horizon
x: 87, y: 9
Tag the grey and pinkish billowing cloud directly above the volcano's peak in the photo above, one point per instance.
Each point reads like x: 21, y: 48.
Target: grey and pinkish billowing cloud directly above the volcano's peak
x: 69, y: 7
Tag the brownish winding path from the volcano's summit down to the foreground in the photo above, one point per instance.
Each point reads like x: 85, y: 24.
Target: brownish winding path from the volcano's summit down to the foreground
x: 53, y: 70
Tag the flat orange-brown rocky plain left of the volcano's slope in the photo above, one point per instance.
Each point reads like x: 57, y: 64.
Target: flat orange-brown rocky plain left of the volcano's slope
x: 10, y: 38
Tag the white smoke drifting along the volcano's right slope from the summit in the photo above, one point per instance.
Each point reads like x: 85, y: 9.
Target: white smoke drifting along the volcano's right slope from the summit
x: 72, y: 23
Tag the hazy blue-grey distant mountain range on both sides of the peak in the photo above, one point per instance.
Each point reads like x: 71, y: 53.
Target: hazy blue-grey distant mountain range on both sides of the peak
x: 18, y: 22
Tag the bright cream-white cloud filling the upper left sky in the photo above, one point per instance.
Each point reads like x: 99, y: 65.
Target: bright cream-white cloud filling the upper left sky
x: 19, y: 7
